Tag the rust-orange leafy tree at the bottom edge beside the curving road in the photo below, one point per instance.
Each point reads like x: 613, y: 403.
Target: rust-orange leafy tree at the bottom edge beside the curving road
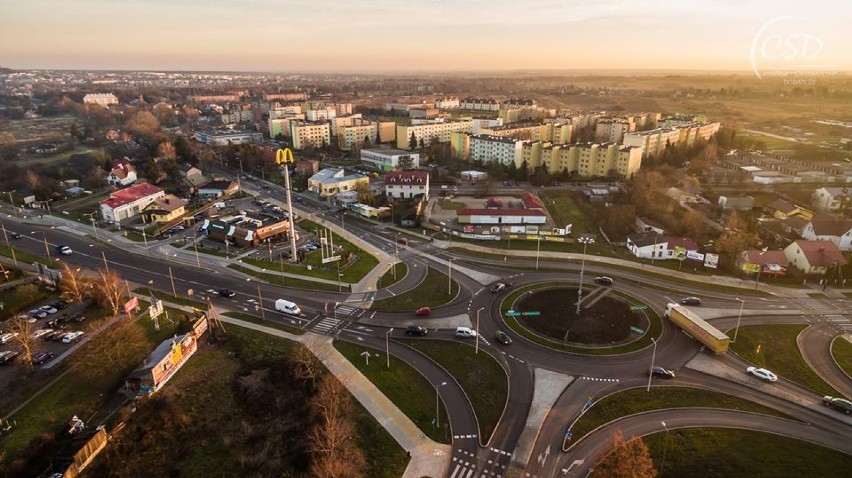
x: 626, y: 459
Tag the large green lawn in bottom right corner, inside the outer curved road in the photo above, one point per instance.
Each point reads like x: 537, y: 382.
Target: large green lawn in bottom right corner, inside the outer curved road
x: 724, y: 453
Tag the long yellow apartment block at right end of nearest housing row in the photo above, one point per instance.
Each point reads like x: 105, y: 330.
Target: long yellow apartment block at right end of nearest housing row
x: 586, y: 159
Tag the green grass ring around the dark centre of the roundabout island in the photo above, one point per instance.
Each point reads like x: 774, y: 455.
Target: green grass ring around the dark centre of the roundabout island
x: 654, y: 330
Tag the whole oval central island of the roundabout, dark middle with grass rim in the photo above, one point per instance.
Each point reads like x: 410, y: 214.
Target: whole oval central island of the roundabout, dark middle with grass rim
x: 608, y: 322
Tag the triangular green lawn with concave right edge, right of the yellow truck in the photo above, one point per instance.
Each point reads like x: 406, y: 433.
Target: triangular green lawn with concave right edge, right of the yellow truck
x: 780, y: 353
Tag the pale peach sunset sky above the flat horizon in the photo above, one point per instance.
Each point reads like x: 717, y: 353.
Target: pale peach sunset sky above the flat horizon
x: 425, y: 35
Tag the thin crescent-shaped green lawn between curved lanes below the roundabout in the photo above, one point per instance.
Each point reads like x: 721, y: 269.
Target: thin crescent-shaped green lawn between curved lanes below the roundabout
x: 637, y: 400
